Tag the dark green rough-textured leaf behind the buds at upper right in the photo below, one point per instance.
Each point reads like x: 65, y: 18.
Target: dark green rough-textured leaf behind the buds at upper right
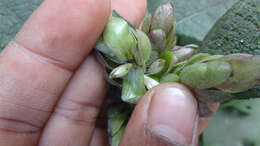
x: 238, y: 31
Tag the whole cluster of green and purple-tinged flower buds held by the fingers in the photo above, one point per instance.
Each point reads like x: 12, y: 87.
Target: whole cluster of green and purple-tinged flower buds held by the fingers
x: 138, y: 60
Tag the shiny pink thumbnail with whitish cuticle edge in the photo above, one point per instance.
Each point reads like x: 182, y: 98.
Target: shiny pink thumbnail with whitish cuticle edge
x: 172, y: 114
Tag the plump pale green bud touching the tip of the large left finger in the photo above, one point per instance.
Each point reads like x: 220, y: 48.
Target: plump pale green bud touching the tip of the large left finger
x: 119, y: 39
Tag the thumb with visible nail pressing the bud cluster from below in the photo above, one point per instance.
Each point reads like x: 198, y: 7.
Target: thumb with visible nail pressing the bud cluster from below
x: 166, y: 115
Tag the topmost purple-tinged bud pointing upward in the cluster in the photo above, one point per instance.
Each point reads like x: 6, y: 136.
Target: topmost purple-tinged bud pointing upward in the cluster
x: 163, y: 17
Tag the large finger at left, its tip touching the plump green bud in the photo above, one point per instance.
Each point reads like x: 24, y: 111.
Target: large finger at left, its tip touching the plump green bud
x: 37, y: 65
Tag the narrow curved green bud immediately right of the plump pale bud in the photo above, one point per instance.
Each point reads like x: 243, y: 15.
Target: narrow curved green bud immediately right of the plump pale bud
x: 144, y: 49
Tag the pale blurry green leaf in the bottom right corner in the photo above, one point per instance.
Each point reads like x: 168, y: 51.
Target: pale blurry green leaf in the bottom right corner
x: 235, y: 124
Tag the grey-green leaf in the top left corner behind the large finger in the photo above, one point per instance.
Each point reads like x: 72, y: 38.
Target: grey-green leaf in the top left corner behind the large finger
x: 13, y: 14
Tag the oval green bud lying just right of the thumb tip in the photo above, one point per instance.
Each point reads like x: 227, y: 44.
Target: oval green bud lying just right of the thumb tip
x: 206, y: 75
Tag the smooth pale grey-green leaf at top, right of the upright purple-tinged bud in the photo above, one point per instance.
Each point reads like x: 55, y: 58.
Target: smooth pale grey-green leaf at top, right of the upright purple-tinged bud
x: 195, y: 17
